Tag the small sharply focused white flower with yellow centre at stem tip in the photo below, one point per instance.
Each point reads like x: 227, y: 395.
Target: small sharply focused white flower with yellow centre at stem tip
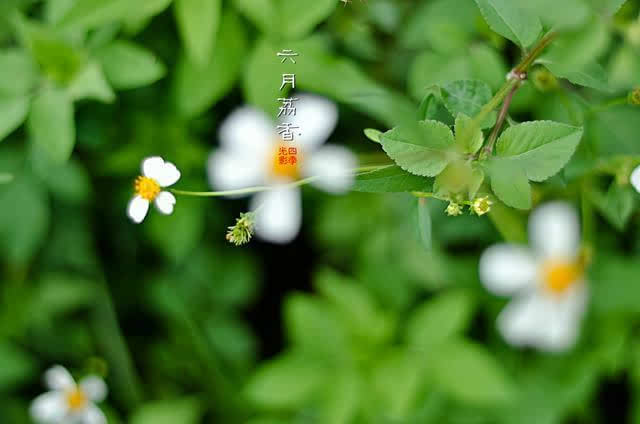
x: 156, y: 175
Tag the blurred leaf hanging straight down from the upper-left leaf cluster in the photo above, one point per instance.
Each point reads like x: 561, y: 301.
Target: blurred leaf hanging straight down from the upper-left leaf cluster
x: 51, y: 124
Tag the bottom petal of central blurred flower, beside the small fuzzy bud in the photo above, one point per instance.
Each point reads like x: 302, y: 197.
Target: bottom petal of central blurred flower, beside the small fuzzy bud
x: 279, y: 217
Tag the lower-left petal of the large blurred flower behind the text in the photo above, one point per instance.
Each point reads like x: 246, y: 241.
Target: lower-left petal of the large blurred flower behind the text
x: 229, y: 170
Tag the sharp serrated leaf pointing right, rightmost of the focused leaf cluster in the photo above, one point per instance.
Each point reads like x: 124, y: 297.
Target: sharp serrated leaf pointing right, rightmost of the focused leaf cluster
x: 539, y: 148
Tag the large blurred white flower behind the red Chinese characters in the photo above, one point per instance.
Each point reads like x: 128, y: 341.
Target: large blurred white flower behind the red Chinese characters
x: 251, y: 154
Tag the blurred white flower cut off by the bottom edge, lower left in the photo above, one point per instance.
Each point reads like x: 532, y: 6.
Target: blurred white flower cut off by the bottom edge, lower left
x: 68, y: 402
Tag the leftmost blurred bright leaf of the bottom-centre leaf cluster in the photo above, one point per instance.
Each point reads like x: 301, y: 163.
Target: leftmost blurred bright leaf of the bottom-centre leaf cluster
x: 286, y: 382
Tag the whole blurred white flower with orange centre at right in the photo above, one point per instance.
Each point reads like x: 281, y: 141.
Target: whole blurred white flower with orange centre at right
x: 547, y: 280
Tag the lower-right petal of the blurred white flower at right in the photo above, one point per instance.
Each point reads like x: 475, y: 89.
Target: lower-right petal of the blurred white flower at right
x: 566, y: 313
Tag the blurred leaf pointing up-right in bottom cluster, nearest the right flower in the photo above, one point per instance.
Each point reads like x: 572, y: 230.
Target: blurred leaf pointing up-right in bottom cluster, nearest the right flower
x: 438, y: 320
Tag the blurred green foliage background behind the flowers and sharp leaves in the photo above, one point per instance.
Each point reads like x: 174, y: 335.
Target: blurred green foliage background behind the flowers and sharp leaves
x: 356, y: 321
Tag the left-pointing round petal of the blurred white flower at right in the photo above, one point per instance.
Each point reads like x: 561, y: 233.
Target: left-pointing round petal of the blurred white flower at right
x: 506, y: 268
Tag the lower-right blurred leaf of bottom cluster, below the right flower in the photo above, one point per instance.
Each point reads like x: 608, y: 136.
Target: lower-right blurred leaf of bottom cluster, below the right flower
x: 468, y: 373
